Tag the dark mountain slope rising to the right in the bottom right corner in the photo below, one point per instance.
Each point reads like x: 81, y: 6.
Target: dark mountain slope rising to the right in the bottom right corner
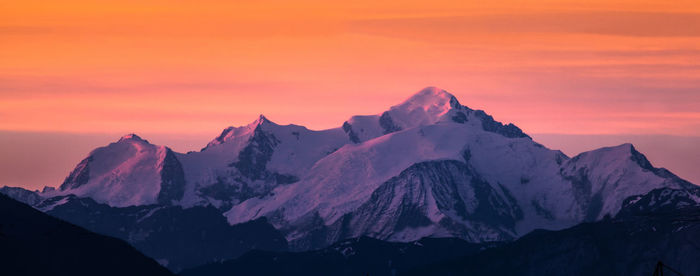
x: 630, y: 244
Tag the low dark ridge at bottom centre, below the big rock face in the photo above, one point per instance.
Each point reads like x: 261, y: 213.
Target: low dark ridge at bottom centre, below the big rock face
x: 360, y: 256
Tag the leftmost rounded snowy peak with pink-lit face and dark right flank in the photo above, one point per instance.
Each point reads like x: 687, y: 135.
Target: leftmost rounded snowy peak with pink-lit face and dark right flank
x: 131, y: 171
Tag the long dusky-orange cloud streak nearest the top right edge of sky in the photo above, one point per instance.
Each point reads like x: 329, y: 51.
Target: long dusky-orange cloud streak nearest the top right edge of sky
x: 620, y: 23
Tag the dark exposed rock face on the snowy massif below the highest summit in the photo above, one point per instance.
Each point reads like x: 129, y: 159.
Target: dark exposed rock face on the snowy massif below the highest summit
x: 437, y: 196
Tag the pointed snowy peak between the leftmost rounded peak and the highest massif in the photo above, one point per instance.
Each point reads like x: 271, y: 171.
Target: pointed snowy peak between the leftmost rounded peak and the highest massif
x: 249, y: 161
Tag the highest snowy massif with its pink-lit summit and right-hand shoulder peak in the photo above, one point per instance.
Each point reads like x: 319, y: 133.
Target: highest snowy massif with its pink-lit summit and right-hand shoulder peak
x: 443, y: 169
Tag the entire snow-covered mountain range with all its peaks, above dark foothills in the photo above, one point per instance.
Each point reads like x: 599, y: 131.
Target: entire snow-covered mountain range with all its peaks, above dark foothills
x: 429, y: 166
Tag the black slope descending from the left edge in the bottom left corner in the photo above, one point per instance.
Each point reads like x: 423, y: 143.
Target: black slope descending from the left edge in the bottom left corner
x: 34, y: 243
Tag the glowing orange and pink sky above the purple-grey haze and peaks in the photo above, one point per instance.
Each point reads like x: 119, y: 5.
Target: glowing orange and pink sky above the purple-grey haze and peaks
x: 604, y: 67
